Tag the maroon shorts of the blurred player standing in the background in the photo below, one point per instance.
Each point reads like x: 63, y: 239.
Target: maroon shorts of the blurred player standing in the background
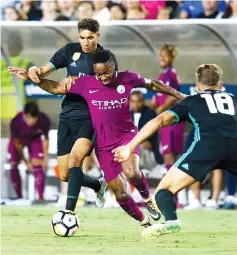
x: 172, y: 139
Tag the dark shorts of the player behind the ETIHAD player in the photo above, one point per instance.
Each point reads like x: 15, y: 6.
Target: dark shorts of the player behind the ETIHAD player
x: 71, y: 130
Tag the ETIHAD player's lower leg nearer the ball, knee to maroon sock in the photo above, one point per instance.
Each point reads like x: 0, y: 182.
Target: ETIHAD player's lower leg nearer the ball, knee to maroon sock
x: 119, y: 187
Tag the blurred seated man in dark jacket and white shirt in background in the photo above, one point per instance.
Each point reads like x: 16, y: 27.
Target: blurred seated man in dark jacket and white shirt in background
x: 141, y: 114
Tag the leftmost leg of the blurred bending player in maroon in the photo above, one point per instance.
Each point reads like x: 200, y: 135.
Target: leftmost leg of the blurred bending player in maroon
x: 14, y: 172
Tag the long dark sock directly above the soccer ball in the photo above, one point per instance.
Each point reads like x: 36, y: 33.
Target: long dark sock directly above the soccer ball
x: 74, y: 187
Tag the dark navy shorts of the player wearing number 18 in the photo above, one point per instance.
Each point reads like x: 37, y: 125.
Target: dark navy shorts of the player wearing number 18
x: 207, y: 155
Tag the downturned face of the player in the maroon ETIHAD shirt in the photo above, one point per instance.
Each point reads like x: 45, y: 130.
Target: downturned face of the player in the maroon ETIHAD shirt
x: 105, y: 72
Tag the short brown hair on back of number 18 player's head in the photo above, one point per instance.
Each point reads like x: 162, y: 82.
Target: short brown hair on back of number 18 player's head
x: 209, y: 74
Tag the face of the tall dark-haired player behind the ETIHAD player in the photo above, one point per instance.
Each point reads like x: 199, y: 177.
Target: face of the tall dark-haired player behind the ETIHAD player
x: 88, y: 41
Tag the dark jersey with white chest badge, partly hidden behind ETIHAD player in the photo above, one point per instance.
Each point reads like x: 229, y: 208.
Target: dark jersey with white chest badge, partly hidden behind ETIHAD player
x: 78, y: 64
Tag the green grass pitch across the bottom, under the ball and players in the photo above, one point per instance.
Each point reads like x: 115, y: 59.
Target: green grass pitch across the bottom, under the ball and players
x: 111, y: 232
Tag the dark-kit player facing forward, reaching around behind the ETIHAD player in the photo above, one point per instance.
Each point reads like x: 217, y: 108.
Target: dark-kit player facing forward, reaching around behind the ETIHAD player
x: 75, y: 130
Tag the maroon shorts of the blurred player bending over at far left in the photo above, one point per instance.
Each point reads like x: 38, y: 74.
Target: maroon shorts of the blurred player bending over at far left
x: 35, y: 148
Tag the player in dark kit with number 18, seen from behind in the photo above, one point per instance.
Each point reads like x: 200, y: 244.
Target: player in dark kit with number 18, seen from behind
x: 214, y: 116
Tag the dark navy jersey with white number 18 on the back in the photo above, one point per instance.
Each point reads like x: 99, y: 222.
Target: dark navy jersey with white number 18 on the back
x: 213, y: 114
